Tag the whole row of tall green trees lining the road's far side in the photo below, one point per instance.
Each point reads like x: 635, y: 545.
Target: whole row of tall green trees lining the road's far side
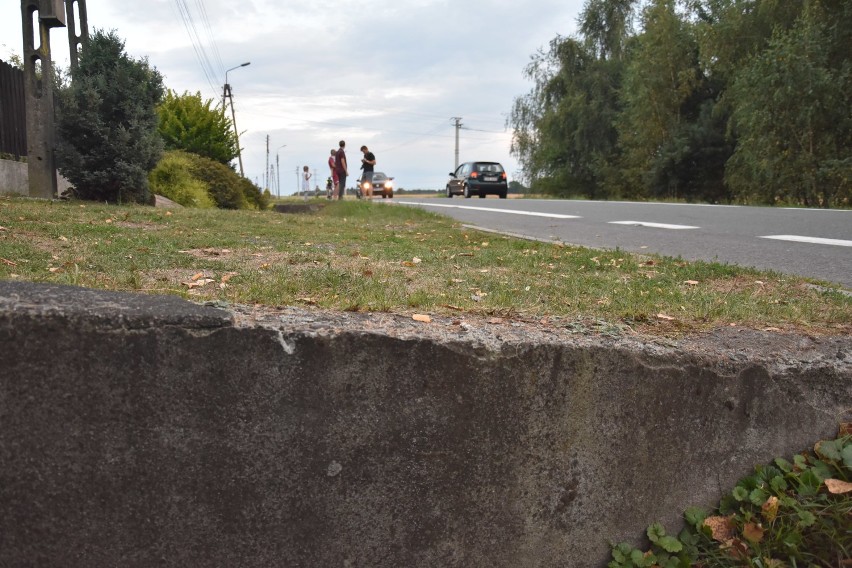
x: 715, y: 100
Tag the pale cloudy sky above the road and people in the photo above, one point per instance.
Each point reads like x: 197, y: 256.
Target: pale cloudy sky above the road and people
x: 390, y: 74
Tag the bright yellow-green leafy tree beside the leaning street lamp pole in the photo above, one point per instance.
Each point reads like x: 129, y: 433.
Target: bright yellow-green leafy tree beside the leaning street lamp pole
x: 190, y: 124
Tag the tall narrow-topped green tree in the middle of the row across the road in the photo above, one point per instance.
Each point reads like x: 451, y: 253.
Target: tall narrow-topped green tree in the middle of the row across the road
x: 666, y: 118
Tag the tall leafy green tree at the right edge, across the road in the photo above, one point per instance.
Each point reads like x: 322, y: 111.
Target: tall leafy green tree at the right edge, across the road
x: 793, y: 117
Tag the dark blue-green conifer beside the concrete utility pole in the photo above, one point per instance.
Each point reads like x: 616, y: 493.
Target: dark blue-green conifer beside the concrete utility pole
x: 107, y: 123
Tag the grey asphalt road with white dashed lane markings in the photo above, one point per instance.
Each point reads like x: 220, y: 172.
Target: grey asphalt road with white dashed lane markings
x: 816, y: 243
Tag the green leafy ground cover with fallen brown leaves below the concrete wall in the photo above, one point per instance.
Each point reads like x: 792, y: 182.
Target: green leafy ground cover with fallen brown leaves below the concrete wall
x: 795, y: 513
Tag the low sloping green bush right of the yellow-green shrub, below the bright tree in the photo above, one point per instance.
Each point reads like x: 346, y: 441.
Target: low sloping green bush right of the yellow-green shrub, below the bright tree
x: 226, y: 187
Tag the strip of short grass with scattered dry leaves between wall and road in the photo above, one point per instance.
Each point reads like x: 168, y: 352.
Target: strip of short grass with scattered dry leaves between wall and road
x: 373, y: 257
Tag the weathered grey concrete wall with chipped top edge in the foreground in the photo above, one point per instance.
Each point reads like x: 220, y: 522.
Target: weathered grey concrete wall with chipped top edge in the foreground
x: 140, y: 430
